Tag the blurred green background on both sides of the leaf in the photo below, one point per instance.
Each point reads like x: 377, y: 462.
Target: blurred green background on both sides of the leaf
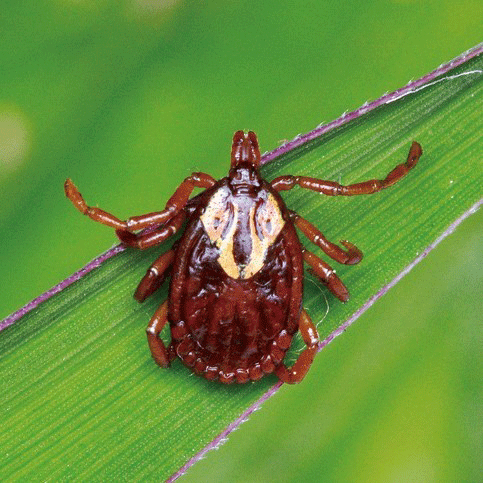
x: 127, y: 98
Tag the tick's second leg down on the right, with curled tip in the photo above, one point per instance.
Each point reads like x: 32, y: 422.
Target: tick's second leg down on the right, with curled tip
x: 350, y: 257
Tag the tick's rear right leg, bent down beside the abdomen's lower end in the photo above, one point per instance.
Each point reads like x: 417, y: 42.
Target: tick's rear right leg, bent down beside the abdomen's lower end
x: 298, y: 371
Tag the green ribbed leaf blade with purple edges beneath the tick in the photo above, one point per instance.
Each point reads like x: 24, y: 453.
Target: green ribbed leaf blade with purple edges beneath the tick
x: 81, y: 396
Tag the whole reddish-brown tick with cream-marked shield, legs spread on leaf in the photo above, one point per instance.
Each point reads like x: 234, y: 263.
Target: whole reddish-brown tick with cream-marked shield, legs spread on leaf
x: 235, y: 296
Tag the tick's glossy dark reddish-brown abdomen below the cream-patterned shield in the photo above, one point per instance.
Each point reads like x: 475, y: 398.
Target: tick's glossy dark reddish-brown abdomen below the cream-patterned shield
x: 230, y: 324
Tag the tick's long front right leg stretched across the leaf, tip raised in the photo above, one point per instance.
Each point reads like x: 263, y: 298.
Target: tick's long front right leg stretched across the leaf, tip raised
x: 331, y: 188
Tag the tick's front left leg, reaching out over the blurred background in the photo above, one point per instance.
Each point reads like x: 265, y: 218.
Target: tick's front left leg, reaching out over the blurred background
x: 176, y: 203
